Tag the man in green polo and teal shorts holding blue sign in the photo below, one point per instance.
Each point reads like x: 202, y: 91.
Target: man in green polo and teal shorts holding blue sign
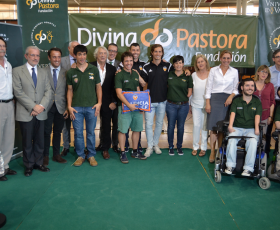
x: 128, y: 80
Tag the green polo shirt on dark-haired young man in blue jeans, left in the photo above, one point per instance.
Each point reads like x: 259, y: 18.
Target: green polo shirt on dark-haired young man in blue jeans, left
x: 84, y: 86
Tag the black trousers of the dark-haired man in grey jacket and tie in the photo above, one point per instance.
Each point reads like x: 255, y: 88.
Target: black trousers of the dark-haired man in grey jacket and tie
x: 54, y: 122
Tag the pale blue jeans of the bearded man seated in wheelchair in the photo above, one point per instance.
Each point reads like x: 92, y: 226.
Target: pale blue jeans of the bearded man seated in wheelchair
x: 251, y: 148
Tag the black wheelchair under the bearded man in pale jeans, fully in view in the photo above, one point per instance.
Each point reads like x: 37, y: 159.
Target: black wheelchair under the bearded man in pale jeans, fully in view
x: 260, y: 161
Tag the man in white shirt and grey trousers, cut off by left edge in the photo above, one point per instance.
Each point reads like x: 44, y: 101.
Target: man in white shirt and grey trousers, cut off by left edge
x: 7, y: 117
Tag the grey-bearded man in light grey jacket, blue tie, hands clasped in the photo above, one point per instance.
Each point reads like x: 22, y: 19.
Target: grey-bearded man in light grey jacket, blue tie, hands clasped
x: 33, y: 93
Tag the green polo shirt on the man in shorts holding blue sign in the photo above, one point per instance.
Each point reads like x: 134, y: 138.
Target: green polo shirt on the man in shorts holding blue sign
x: 126, y: 81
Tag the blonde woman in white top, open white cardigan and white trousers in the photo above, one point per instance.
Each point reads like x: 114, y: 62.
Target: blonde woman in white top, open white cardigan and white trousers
x: 197, y: 104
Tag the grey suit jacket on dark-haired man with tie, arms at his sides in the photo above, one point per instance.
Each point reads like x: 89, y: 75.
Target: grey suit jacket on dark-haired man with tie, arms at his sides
x: 59, y: 94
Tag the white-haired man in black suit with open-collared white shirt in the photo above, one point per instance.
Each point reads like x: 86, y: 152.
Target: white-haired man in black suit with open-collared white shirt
x: 109, y: 100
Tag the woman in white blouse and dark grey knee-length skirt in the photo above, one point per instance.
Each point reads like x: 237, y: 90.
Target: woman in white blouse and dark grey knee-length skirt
x: 221, y: 87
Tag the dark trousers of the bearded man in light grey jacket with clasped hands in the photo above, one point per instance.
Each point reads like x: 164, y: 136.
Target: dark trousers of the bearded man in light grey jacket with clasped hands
x: 32, y: 142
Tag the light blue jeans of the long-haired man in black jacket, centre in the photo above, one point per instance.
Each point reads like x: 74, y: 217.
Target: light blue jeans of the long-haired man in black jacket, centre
x: 157, y: 109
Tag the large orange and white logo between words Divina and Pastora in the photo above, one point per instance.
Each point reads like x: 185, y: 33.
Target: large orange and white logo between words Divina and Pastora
x: 155, y: 31
